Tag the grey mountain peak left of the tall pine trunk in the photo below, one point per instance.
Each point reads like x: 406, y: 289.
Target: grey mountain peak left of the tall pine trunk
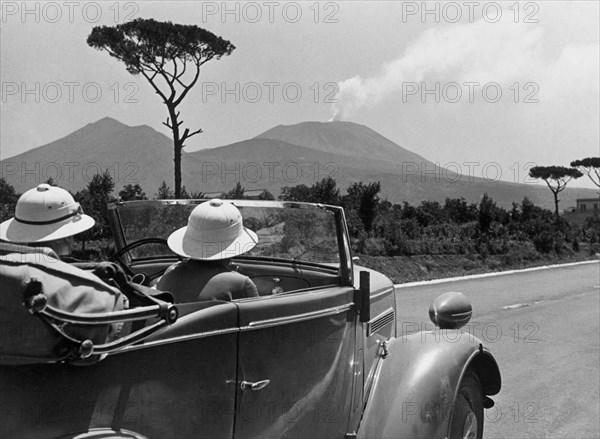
x: 131, y: 154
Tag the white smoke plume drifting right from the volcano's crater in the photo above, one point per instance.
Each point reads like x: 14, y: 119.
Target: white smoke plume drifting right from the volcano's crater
x: 481, y: 52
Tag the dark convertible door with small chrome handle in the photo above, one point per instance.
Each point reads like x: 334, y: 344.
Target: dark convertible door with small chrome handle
x: 296, y: 364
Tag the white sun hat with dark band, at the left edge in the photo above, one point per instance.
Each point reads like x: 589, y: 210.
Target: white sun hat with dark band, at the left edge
x: 45, y: 213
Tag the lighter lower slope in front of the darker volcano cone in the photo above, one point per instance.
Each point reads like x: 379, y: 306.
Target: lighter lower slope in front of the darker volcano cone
x: 272, y: 164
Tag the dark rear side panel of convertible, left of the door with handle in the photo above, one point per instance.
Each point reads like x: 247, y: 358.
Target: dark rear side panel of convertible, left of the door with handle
x: 178, y: 384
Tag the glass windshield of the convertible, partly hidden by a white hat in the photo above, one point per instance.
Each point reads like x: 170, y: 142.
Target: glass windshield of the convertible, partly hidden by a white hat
x: 286, y: 231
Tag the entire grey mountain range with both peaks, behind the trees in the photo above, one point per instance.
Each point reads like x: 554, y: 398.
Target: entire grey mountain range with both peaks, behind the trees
x: 283, y: 156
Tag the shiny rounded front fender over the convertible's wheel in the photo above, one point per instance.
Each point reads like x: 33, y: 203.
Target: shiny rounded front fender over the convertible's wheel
x: 416, y: 383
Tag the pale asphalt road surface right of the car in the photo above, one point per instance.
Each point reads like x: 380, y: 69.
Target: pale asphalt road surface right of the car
x: 543, y: 327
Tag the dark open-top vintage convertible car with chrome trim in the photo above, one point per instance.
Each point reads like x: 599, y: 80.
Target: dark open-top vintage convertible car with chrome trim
x: 318, y: 354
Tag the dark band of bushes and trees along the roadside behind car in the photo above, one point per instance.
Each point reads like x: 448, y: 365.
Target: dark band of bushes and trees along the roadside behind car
x: 406, y: 242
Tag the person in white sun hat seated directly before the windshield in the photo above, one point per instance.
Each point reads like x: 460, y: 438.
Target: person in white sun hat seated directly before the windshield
x: 213, y: 235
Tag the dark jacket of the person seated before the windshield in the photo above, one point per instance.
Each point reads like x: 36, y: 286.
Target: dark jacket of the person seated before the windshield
x: 193, y: 280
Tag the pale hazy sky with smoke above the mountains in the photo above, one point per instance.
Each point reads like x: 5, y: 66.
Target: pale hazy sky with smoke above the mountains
x: 486, y: 88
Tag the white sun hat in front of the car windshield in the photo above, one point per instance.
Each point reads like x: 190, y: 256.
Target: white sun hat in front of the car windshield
x: 214, y: 231
